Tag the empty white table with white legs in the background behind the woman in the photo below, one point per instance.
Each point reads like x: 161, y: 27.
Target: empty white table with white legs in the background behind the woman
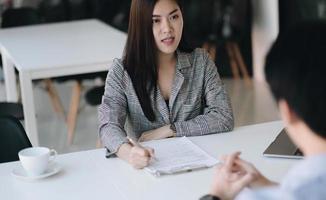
x: 51, y: 50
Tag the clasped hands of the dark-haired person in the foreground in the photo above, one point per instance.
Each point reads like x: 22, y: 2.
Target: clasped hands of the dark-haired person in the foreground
x: 230, y: 178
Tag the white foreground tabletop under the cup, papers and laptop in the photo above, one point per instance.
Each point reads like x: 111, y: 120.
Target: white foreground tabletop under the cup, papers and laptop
x: 88, y: 175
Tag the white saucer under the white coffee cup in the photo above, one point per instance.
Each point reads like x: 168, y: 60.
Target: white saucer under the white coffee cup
x: 19, y: 172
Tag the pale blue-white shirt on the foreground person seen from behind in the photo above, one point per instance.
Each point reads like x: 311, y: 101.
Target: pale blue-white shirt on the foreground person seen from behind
x: 306, y: 181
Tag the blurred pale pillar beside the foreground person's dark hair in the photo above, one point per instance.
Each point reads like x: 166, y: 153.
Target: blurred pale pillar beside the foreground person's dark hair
x: 265, y: 28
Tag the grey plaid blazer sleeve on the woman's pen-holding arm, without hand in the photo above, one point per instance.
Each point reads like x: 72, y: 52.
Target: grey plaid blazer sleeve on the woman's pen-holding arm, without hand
x: 113, y: 109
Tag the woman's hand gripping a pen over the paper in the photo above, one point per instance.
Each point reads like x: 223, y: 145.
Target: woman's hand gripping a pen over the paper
x: 139, y: 157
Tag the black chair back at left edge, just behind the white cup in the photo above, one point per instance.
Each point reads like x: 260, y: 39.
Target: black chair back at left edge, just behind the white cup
x: 12, y: 139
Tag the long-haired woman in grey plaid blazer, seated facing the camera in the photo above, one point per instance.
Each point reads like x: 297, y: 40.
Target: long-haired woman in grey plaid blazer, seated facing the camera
x: 160, y: 88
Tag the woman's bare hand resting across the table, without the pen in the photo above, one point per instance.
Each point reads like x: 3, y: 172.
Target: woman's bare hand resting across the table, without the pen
x: 159, y: 133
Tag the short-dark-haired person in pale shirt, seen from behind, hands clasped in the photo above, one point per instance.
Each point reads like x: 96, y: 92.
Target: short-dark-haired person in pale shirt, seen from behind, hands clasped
x: 295, y: 71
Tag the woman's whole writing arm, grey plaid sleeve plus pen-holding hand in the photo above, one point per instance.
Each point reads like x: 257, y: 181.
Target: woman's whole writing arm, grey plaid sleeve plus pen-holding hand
x: 112, y: 117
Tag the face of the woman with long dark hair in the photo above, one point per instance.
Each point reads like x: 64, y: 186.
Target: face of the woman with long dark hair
x: 167, y: 26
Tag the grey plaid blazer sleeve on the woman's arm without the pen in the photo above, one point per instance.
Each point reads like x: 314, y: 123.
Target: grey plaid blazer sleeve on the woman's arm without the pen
x: 217, y: 115
